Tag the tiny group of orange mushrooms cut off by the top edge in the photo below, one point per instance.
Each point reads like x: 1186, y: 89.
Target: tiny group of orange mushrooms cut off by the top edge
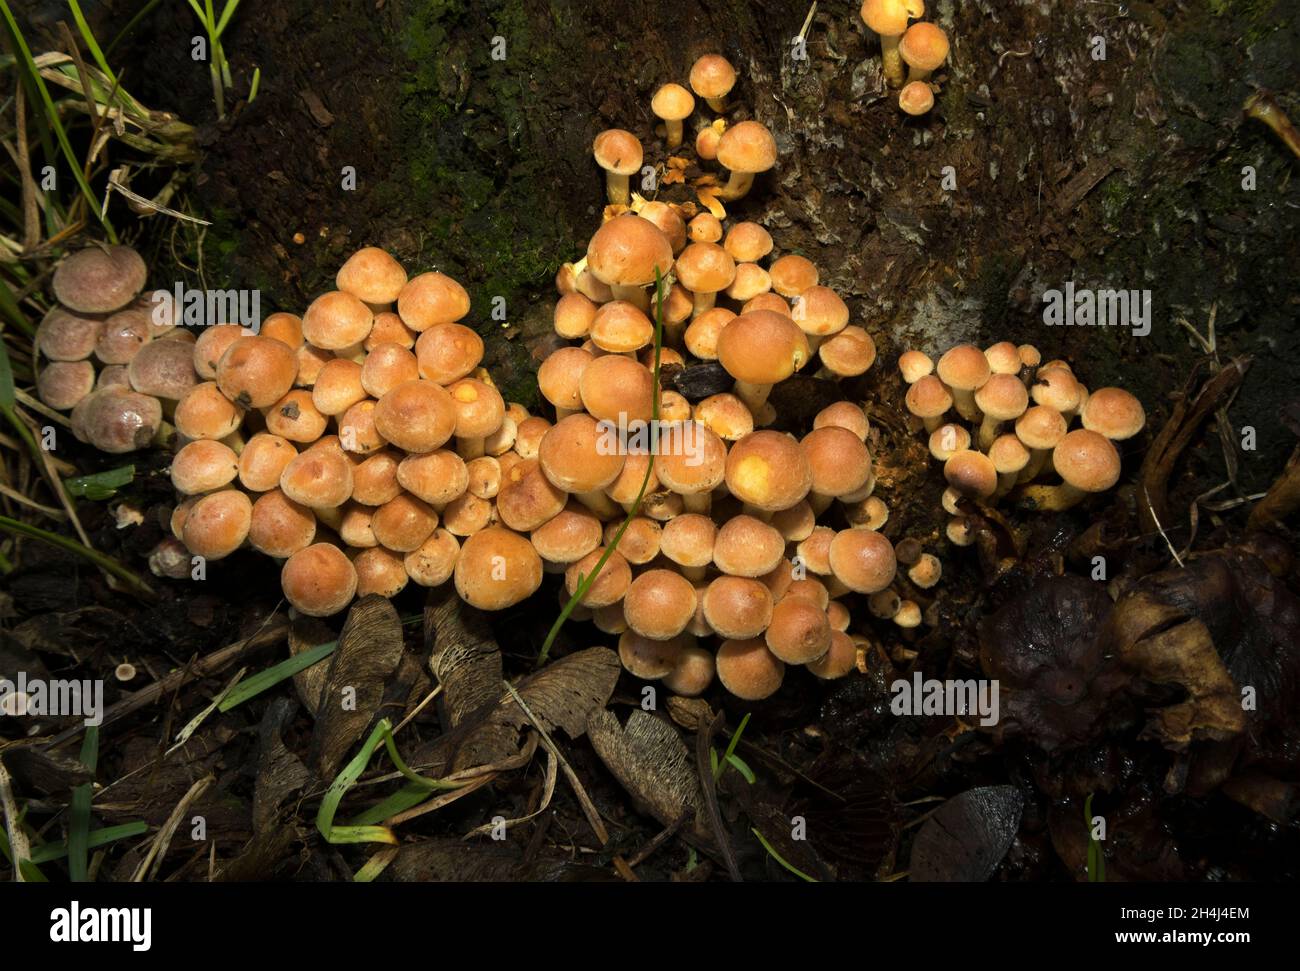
x: 921, y: 47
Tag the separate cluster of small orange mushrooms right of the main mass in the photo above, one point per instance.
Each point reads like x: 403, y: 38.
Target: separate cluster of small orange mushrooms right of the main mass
x: 1013, y: 421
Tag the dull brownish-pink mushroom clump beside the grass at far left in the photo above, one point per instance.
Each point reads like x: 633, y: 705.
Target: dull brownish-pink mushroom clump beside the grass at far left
x: 107, y: 356
